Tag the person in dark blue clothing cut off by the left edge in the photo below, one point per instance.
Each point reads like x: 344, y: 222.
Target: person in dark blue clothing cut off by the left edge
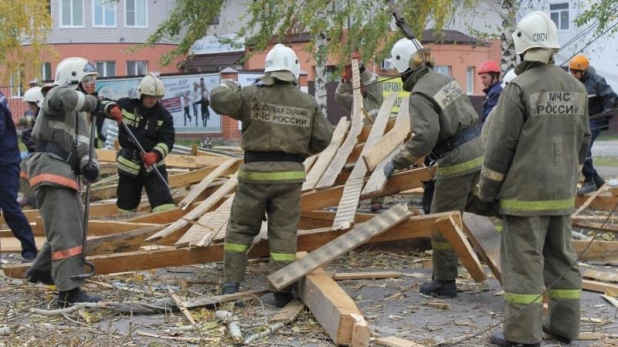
x: 9, y: 184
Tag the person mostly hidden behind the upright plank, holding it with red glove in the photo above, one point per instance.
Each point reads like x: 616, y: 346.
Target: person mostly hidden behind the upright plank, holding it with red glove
x: 371, y: 91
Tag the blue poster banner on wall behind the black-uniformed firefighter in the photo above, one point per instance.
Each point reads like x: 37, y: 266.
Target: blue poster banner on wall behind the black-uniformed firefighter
x: 183, y: 99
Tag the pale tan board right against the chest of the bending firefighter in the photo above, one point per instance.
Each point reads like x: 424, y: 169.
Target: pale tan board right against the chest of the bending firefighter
x: 376, y: 153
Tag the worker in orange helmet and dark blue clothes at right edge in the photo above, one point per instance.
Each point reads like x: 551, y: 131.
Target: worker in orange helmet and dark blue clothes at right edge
x: 601, y: 98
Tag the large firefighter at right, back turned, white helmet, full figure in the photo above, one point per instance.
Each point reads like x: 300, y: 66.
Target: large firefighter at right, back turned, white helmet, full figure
x: 533, y: 189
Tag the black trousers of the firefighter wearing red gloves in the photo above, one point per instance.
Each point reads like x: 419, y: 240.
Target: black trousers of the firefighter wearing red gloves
x: 129, y: 191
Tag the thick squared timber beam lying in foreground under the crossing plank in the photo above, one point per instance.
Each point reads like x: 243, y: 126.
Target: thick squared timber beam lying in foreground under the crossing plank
x: 329, y: 304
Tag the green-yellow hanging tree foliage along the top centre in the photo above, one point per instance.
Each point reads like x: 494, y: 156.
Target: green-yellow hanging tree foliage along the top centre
x: 366, y: 22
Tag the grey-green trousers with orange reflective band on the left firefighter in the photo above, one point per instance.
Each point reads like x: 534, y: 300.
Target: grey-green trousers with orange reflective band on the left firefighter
x: 62, y: 213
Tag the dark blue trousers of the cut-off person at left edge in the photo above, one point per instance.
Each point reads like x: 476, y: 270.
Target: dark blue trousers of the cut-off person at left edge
x: 13, y: 216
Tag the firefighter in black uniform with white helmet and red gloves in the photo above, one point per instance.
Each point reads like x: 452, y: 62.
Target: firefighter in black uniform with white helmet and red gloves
x: 153, y: 126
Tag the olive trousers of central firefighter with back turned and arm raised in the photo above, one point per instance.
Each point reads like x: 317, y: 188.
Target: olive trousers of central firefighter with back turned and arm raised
x: 281, y: 204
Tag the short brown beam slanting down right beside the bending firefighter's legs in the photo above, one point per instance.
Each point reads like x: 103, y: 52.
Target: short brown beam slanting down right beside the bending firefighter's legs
x: 453, y: 234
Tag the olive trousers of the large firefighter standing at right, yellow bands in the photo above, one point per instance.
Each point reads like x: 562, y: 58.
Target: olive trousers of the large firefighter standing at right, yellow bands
x: 535, y: 252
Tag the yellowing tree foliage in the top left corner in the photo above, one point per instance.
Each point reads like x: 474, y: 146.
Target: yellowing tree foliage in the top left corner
x: 24, y: 25
